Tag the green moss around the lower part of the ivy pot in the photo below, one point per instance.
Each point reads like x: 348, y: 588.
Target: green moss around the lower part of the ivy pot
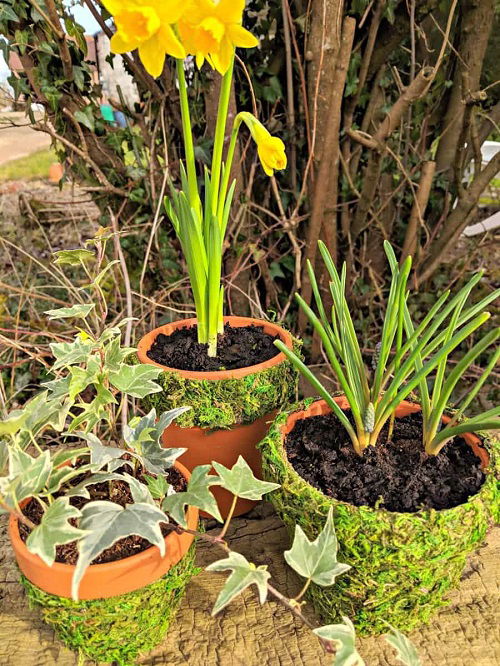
x: 120, y: 628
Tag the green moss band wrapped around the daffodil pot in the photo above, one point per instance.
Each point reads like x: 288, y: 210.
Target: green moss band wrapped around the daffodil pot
x: 226, y: 402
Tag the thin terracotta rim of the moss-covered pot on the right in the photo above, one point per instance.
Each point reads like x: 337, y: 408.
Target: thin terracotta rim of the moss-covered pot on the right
x: 317, y: 406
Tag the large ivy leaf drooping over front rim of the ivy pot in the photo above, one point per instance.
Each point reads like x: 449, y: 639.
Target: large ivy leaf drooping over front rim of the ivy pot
x: 106, y: 523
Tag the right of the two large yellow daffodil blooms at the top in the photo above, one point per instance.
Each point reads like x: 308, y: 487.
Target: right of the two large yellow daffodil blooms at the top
x: 212, y: 30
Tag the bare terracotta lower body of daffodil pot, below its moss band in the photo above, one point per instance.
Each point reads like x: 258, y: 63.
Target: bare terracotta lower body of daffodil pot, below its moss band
x: 223, y: 446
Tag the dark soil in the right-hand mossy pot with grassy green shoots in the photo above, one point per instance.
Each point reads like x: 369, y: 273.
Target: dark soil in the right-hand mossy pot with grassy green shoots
x: 398, y: 471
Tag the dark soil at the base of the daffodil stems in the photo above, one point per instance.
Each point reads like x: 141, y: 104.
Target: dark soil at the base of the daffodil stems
x: 238, y: 347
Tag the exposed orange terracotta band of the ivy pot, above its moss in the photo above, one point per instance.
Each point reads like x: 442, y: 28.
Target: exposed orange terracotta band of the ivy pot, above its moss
x: 110, y: 579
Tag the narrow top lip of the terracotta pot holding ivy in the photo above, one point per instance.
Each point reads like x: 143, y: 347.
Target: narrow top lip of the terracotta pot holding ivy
x: 60, y: 567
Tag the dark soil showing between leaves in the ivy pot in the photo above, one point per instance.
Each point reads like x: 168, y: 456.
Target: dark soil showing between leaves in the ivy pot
x: 117, y: 492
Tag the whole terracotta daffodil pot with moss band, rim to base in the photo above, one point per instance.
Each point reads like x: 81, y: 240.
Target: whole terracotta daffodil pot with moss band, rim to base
x: 231, y: 409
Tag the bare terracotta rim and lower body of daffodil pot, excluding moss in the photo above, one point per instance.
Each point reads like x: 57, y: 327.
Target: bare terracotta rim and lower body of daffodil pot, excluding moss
x: 224, y: 445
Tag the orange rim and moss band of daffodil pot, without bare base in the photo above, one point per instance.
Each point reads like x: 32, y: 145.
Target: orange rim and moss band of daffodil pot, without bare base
x: 224, y: 398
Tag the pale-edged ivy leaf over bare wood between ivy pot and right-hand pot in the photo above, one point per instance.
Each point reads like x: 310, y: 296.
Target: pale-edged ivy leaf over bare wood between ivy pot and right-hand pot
x: 243, y: 574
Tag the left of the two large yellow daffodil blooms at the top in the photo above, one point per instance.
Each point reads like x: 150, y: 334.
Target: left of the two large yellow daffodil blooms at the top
x: 147, y: 25
